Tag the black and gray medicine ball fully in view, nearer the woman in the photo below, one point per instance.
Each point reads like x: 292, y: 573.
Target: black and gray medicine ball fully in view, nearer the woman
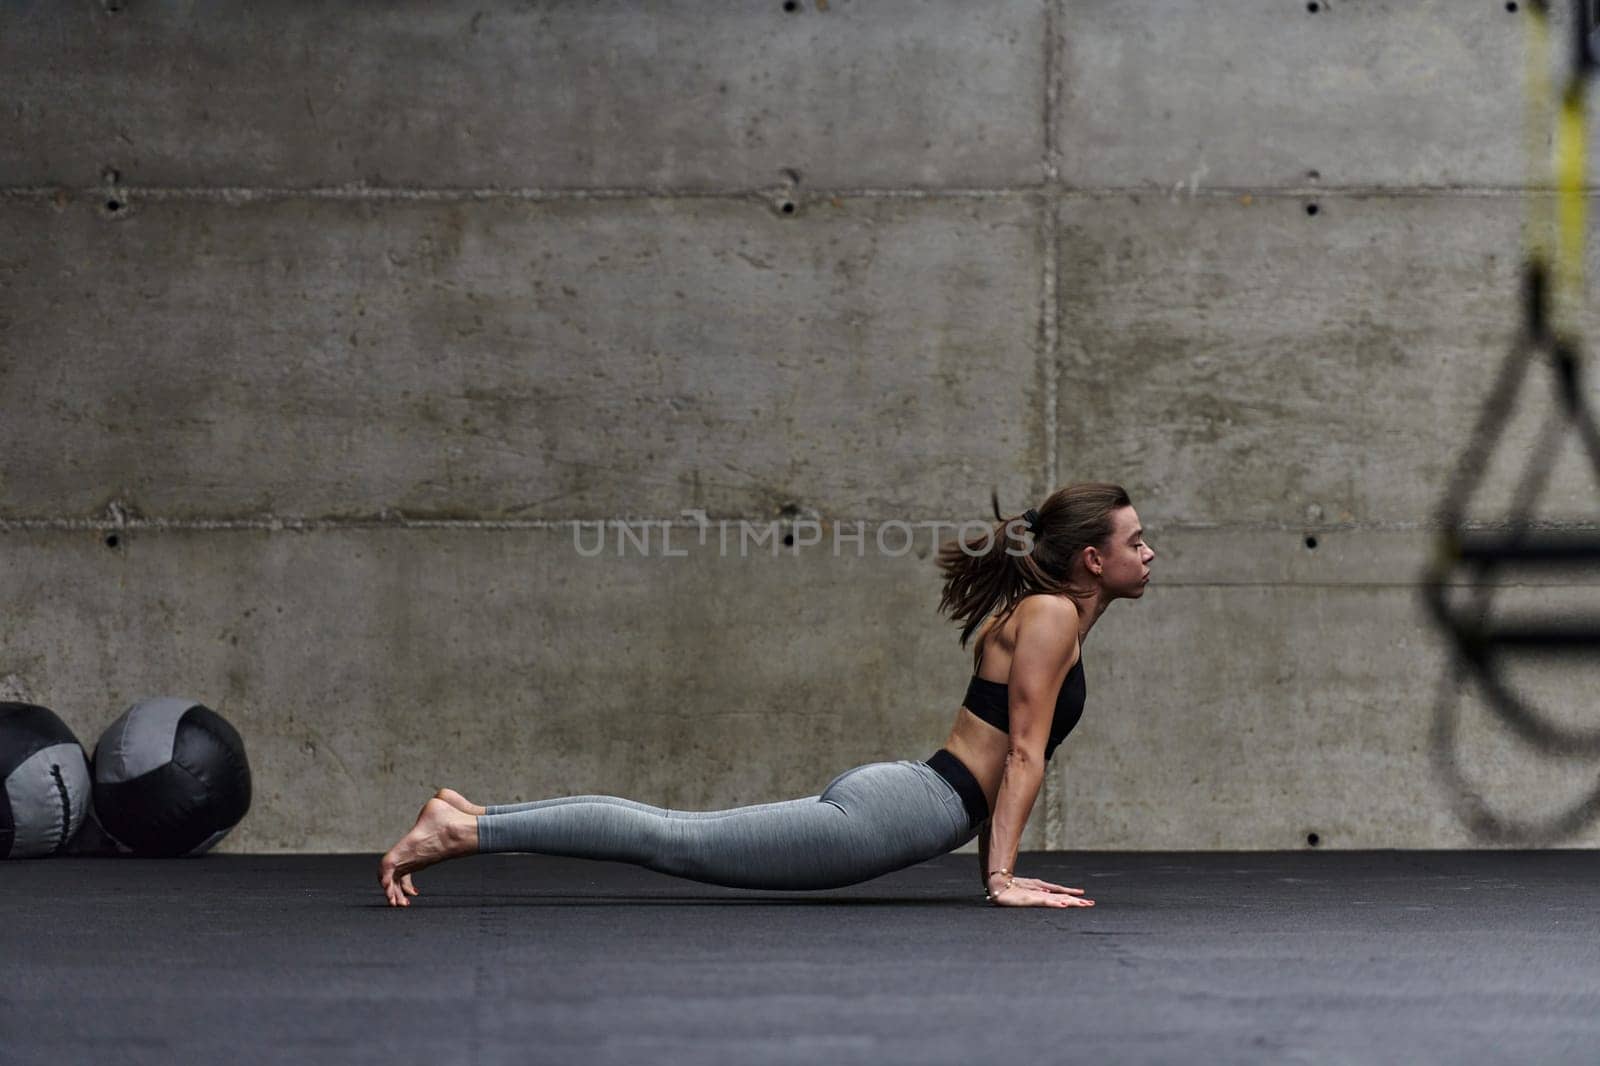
x: 170, y: 779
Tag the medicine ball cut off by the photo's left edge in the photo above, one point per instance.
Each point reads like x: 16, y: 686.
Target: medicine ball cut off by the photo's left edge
x: 47, y: 782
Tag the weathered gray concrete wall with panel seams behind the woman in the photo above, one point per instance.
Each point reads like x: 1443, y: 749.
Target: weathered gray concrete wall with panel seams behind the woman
x: 324, y: 332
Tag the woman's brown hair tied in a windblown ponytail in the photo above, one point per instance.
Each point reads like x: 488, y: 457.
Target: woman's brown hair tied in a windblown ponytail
x: 999, y: 567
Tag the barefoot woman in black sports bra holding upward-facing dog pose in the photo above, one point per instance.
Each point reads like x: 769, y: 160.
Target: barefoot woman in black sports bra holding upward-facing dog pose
x: 1036, y: 585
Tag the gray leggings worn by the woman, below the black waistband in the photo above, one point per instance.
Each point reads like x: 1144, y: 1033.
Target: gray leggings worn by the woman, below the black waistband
x: 868, y: 822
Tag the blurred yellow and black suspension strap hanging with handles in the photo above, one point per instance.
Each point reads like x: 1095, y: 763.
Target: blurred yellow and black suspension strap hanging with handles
x: 1553, y: 291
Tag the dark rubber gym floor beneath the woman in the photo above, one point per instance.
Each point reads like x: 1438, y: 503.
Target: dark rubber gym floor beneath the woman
x: 1239, y: 958
